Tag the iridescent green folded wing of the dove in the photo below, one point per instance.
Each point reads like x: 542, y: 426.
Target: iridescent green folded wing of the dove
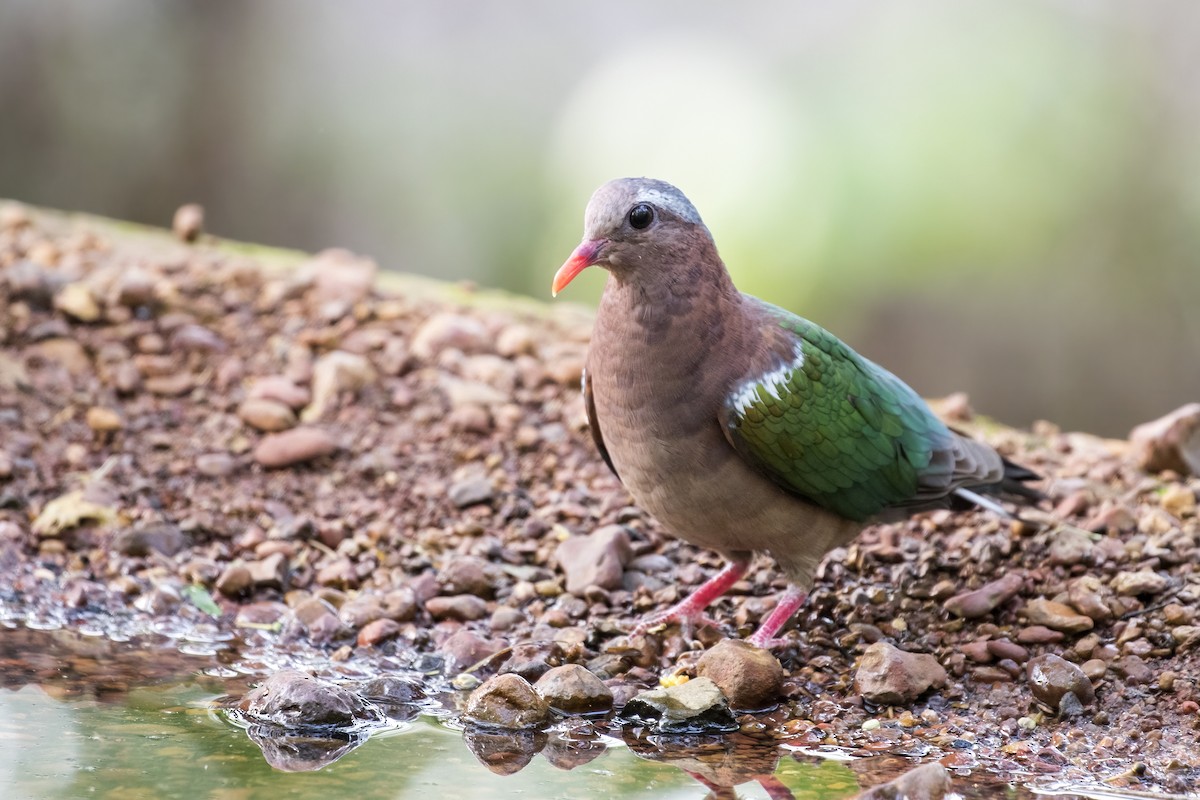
x: 839, y: 430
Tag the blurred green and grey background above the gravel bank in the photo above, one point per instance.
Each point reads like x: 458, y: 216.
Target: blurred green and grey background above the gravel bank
x: 998, y: 197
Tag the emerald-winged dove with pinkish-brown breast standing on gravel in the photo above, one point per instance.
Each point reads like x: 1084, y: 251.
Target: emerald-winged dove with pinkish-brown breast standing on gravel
x: 742, y: 428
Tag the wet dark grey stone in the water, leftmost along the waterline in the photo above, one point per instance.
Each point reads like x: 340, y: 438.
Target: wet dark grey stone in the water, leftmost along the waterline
x: 295, y: 700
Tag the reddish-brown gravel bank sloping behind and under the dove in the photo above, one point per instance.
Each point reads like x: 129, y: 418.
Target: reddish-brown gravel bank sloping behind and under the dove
x: 191, y: 434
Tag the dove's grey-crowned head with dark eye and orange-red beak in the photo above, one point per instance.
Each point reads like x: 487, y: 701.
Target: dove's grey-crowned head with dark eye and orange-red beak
x: 635, y: 228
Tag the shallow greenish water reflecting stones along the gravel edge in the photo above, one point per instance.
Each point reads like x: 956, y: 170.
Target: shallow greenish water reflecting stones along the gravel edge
x: 86, y: 718
